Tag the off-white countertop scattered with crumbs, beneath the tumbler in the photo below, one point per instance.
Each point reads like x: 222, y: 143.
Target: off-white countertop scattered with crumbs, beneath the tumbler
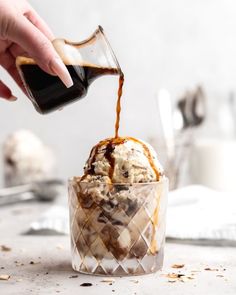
x: 41, y: 265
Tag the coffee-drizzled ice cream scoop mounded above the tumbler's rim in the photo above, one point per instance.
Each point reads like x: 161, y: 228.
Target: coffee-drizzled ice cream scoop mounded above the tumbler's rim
x: 122, y: 160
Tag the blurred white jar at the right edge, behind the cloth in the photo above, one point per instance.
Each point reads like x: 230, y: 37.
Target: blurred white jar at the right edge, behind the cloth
x: 212, y: 162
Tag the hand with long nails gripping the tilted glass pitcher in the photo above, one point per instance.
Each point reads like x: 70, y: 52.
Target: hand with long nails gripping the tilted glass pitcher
x: 23, y: 32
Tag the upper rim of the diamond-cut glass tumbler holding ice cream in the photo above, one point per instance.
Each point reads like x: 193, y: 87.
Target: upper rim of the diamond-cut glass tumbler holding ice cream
x: 163, y: 180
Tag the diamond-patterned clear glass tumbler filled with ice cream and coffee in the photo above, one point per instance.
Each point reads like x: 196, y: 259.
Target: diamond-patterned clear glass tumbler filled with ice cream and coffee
x: 117, y: 229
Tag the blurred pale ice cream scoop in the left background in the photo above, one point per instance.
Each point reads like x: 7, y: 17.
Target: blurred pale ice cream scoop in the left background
x: 27, y: 159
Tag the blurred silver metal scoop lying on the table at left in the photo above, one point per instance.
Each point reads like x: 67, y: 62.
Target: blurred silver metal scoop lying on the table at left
x: 46, y: 190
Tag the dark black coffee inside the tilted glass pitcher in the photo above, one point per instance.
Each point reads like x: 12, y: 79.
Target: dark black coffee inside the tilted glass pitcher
x: 48, y: 93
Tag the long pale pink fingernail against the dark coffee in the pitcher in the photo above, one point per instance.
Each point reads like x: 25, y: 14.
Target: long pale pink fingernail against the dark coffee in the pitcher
x: 61, y: 71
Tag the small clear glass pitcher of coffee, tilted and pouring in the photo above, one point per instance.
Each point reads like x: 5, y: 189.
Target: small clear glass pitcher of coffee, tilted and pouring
x: 85, y: 61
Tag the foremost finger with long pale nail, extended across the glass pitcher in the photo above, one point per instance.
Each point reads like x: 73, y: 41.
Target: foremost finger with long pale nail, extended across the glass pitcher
x: 39, y: 47
